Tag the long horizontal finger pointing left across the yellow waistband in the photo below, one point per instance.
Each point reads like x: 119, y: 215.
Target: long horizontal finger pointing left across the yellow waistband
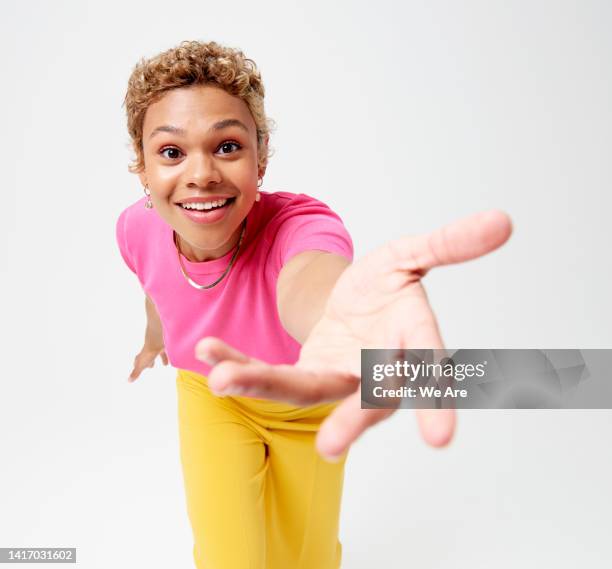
x: 280, y: 382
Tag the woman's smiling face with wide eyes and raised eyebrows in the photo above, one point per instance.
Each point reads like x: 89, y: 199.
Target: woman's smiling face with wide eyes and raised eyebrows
x: 200, y: 145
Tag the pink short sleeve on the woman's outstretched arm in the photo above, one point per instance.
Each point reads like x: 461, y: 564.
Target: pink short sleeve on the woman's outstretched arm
x: 315, y: 227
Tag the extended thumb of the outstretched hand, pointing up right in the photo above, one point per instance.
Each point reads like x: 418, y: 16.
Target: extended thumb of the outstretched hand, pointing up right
x: 462, y: 240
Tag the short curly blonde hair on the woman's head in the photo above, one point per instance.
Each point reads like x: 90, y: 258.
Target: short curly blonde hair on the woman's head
x: 195, y: 63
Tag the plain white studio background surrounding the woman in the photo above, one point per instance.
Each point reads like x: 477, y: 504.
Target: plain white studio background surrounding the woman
x: 401, y: 118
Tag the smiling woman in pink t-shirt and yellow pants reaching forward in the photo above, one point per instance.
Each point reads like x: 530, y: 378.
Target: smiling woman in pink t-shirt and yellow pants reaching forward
x: 268, y: 275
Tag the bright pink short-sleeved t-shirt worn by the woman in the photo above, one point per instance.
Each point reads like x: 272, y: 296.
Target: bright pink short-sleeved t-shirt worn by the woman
x: 241, y: 310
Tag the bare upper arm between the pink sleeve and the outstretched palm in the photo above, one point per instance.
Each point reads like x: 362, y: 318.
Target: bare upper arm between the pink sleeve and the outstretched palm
x: 303, y: 287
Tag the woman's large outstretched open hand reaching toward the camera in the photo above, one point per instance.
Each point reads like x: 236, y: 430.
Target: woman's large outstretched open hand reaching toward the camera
x: 378, y: 302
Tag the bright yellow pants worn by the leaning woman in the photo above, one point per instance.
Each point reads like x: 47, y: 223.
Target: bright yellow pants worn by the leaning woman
x: 258, y: 494
